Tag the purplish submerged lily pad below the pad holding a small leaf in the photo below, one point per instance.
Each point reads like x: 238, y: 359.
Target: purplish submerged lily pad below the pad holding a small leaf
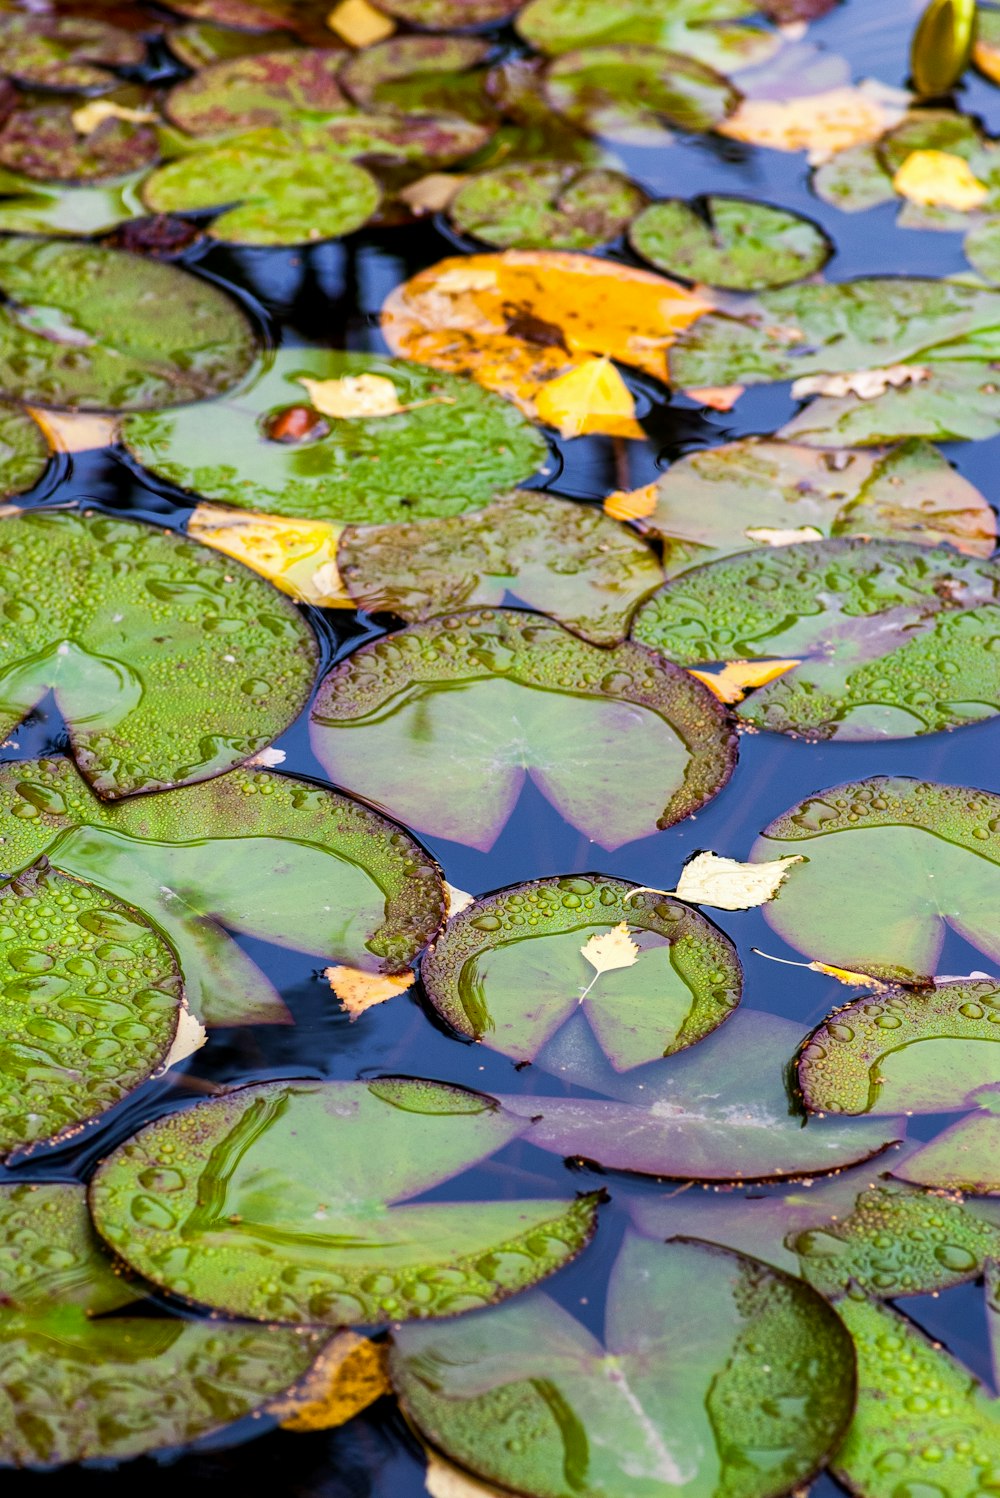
x: 716, y: 1112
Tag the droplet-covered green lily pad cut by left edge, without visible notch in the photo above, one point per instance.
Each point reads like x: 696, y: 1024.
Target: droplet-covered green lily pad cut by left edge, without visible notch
x: 89, y: 1004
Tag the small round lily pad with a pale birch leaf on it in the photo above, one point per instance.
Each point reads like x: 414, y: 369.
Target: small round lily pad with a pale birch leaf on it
x: 510, y: 970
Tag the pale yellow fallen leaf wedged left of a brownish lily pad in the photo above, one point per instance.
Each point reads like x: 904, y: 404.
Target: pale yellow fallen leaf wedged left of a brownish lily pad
x: 299, y: 557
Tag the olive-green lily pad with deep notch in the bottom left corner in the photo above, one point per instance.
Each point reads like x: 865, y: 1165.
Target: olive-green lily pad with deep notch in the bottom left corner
x: 79, y: 1385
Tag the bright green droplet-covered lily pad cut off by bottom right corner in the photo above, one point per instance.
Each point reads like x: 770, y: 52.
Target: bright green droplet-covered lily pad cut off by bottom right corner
x: 923, y: 1425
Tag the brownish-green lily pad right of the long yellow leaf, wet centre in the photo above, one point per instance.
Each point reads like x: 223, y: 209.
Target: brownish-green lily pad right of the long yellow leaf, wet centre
x: 568, y: 561
